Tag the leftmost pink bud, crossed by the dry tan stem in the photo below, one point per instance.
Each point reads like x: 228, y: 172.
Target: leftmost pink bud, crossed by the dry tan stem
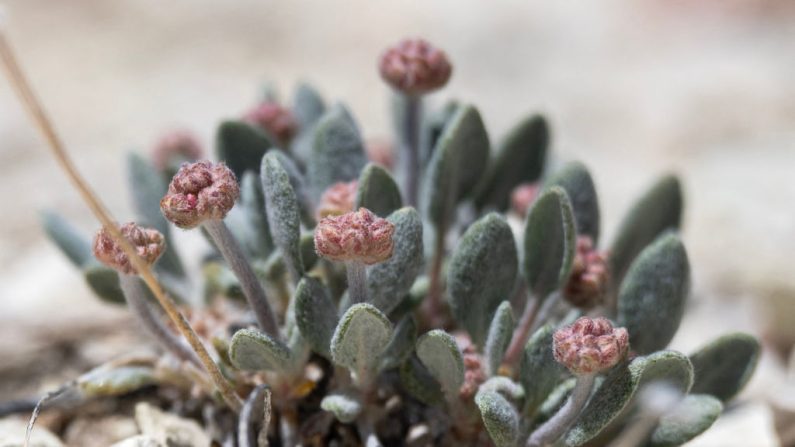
x: 148, y: 243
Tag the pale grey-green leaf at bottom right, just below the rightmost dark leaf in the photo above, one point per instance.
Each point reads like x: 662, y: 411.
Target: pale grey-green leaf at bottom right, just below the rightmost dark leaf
x: 693, y: 416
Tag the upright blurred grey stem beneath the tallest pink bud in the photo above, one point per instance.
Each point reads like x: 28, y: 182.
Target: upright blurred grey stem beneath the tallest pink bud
x: 411, y: 147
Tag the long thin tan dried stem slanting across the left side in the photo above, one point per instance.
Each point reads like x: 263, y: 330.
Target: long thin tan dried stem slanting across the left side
x: 25, y: 92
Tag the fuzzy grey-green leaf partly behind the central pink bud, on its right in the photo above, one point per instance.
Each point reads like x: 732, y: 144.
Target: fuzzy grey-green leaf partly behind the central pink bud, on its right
x: 389, y: 282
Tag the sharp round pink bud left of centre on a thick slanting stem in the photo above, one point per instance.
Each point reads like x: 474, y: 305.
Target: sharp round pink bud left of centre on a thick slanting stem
x: 200, y: 191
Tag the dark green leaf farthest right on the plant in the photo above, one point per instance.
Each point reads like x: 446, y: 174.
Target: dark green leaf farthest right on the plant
x: 723, y: 367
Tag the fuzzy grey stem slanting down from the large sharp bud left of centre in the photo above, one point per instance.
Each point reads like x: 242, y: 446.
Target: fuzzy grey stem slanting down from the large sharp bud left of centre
x: 252, y: 288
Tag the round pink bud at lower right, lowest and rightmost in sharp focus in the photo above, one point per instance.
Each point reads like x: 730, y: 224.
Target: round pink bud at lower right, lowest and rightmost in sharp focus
x: 590, y: 345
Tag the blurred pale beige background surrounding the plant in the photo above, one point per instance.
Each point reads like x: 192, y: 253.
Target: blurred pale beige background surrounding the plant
x: 633, y: 88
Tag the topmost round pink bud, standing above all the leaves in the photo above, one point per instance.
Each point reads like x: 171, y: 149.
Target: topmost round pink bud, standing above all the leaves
x: 415, y: 67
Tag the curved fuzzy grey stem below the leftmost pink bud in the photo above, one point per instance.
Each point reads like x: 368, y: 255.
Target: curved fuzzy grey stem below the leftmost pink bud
x: 149, y: 319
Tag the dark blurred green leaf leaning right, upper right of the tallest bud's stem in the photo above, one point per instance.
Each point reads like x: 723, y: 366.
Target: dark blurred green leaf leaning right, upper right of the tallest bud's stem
x: 520, y: 159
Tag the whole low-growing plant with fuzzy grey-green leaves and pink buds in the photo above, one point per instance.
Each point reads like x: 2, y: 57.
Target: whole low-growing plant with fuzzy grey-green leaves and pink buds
x: 471, y: 303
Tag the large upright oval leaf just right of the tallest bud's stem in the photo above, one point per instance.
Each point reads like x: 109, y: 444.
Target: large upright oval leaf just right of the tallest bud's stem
x: 457, y: 164
